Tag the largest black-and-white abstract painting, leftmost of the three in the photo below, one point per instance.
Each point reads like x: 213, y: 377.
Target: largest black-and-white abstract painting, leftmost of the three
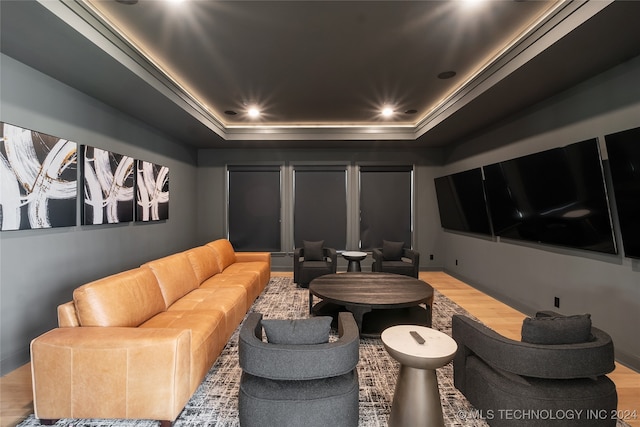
x: 38, y: 179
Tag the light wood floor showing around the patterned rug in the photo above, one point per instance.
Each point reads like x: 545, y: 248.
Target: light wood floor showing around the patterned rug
x: 17, y: 402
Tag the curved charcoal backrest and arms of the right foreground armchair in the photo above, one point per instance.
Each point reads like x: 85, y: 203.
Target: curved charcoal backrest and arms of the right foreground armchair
x: 582, y: 360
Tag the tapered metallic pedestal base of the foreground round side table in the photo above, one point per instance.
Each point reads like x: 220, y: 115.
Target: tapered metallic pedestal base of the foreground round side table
x: 416, y: 401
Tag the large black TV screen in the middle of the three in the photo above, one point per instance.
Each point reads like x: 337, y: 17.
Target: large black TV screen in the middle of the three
x: 555, y: 197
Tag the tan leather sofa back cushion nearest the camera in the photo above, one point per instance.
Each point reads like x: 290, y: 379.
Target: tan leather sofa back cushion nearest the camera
x: 125, y: 299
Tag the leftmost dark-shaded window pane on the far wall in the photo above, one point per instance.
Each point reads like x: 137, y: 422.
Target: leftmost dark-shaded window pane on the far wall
x: 254, y: 208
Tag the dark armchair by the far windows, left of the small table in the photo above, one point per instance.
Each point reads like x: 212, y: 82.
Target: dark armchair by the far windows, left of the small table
x: 313, y: 260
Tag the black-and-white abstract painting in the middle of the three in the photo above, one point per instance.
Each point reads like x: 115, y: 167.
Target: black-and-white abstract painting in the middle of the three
x: 108, y: 187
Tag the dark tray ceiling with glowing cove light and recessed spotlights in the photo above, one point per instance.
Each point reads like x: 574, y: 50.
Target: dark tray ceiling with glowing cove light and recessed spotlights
x: 320, y: 71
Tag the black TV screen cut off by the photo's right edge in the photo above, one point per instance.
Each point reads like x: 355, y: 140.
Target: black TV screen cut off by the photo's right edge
x: 624, y: 162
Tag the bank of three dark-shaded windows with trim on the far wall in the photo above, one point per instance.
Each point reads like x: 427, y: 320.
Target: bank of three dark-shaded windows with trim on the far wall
x: 274, y: 208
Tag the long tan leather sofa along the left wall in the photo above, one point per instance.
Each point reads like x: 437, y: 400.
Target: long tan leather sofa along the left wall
x: 137, y: 344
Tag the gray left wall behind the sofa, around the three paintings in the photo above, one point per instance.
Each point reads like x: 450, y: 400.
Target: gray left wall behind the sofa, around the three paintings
x: 40, y: 268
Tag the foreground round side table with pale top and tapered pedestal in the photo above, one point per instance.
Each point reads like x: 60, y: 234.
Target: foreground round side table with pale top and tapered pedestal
x: 416, y: 401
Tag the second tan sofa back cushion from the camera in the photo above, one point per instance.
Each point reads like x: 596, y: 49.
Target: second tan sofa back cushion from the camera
x: 175, y: 276
